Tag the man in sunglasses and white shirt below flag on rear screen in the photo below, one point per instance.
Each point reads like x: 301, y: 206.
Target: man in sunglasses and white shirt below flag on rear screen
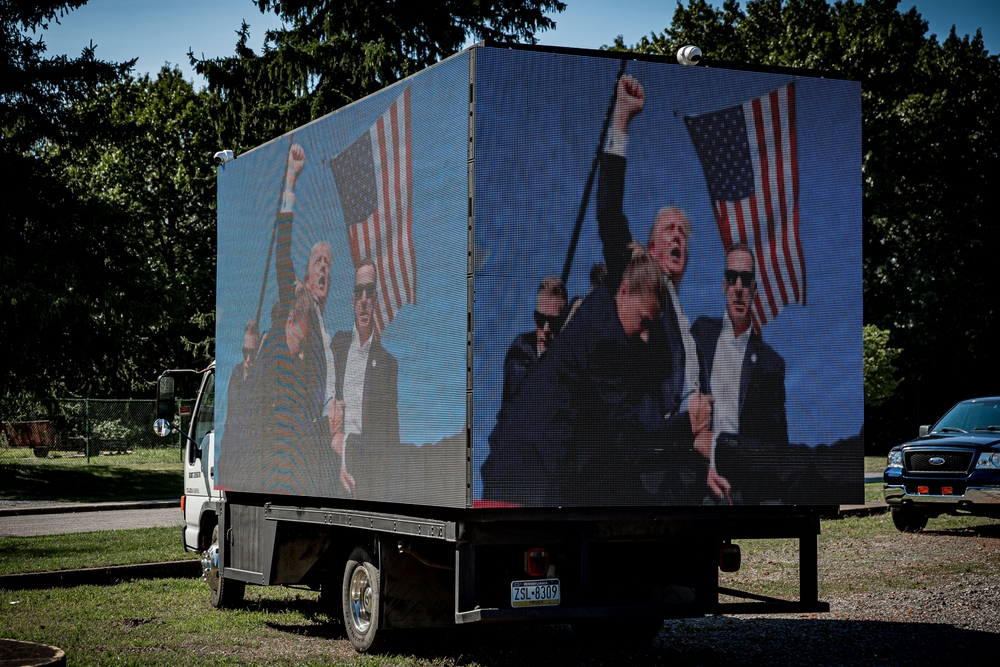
x: 747, y: 379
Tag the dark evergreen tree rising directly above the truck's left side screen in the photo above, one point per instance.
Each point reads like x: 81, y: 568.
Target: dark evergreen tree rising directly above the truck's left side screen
x: 332, y: 52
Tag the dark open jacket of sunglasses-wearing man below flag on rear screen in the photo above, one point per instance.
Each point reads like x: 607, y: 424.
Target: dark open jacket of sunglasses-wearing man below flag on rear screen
x: 749, y: 459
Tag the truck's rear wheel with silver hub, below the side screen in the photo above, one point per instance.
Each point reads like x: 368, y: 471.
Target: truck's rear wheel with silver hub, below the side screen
x: 362, y: 601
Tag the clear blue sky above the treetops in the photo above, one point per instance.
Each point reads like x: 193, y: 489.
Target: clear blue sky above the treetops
x: 156, y: 32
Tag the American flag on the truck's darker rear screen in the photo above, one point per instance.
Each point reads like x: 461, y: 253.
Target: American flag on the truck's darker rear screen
x: 748, y: 153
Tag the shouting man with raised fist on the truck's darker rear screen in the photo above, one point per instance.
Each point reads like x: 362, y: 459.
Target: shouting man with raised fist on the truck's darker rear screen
x: 686, y: 409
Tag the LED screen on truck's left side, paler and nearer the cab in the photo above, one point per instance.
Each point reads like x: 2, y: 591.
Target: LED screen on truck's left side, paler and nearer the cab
x: 342, y: 302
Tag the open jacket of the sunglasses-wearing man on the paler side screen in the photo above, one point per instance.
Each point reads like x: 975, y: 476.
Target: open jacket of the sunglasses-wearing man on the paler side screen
x: 369, y: 454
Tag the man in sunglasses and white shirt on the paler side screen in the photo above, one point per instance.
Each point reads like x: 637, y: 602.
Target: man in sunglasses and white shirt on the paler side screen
x: 367, y: 397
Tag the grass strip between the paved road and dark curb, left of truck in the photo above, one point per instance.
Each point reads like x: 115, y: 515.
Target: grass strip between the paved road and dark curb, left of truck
x: 114, y: 547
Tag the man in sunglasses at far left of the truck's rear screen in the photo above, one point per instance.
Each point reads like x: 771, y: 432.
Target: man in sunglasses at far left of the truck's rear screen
x: 527, y: 348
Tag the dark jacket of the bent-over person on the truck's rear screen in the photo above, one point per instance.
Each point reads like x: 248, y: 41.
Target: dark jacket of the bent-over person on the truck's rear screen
x: 585, y: 421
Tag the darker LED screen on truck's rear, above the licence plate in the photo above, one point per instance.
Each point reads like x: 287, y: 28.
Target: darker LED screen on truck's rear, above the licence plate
x: 668, y: 299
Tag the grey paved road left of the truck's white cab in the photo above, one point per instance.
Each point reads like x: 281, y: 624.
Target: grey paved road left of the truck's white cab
x: 88, y: 522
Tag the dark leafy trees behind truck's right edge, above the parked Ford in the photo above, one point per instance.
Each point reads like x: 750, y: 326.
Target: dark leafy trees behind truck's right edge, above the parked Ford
x: 931, y: 113
